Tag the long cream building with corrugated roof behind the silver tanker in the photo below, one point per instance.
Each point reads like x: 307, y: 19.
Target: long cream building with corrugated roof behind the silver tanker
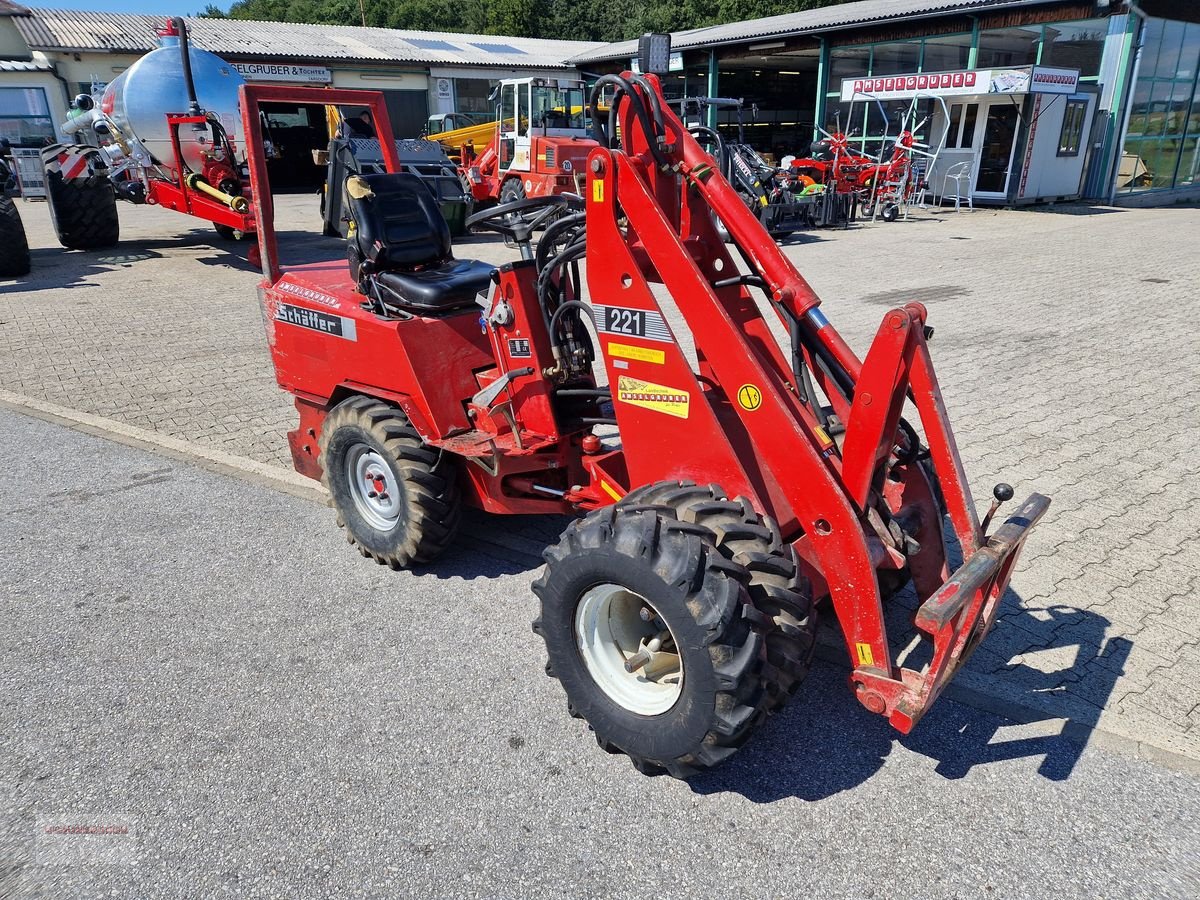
x: 47, y: 57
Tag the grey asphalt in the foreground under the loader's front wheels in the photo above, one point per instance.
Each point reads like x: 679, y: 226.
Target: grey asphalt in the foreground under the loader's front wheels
x: 206, y: 664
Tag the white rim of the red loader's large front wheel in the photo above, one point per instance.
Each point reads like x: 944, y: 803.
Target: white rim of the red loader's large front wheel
x: 610, y: 629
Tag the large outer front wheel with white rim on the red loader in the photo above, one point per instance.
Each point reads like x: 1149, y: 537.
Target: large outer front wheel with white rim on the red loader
x: 605, y: 569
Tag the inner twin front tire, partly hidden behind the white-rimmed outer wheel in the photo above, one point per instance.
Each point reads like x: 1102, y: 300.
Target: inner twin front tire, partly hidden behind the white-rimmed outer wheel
x: 776, y: 586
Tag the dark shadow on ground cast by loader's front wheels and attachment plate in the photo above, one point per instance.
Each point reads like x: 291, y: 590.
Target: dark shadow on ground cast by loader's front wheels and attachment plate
x: 825, y: 743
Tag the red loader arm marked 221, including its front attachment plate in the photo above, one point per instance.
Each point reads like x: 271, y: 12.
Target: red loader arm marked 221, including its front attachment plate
x: 748, y: 421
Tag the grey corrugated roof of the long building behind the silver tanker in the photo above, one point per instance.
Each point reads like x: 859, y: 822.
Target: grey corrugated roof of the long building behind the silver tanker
x: 236, y: 39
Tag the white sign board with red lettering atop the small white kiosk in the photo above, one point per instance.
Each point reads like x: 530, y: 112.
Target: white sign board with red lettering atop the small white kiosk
x: 1036, y: 80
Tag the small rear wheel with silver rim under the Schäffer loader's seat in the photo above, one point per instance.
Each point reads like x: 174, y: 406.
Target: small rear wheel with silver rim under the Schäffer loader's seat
x: 395, y: 496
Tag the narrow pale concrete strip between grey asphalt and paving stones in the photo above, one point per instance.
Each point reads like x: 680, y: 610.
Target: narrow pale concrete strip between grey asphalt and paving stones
x: 827, y: 650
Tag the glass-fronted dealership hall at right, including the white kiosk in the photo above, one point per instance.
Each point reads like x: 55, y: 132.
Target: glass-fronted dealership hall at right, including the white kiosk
x: 1039, y: 99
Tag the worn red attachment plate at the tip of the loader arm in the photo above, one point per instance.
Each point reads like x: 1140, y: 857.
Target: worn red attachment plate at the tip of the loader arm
x: 957, y: 617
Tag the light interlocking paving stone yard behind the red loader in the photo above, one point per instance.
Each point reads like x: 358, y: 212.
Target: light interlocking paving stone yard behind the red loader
x: 1066, y: 349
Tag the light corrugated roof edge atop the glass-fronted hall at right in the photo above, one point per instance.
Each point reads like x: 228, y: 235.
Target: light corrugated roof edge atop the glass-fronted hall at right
x: 809, y: 21
